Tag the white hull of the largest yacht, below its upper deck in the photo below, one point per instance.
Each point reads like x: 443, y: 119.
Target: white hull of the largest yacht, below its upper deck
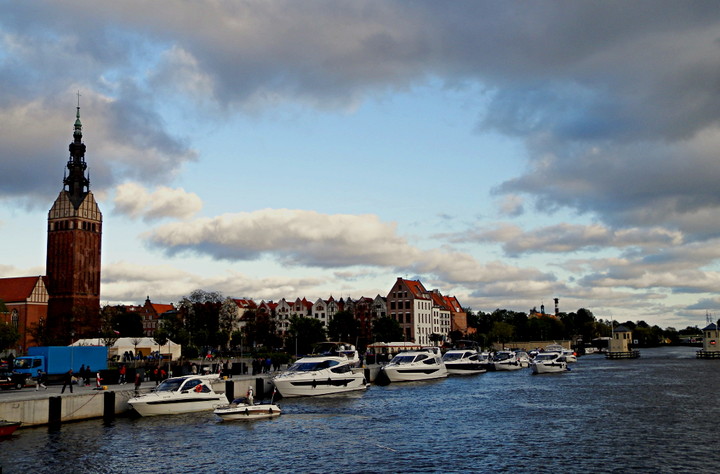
x: 309, y: 385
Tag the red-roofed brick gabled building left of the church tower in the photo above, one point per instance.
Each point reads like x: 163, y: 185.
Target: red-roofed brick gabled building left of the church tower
x: 26, y: 301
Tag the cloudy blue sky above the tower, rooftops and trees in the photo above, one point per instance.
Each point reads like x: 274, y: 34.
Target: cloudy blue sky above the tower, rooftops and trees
x: 506, y: 153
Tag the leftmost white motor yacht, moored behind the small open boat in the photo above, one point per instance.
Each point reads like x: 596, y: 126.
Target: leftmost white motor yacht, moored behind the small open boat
x: 175, y: 395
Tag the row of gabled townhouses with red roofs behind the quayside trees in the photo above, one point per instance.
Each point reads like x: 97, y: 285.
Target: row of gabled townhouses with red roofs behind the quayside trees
x: 420, y: 313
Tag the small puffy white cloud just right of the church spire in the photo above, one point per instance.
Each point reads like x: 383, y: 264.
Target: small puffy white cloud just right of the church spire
x: 135, y: 201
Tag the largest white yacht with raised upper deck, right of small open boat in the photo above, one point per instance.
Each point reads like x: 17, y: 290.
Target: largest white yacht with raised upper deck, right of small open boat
x: 320, y: 375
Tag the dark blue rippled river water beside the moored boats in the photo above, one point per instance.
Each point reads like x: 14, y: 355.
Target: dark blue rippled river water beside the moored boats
x: 654, y: 414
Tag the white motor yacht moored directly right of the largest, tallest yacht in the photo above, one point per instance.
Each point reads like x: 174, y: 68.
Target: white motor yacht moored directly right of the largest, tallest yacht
x: 410, y: 366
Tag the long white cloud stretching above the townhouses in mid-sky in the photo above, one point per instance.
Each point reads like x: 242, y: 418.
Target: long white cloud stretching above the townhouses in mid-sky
x: 296, y: 237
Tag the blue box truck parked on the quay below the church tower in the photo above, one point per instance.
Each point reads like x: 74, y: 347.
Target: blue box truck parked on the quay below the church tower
x: 57, y: 360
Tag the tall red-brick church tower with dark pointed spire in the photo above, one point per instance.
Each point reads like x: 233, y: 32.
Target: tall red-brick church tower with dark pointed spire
x: 73, y: 253
